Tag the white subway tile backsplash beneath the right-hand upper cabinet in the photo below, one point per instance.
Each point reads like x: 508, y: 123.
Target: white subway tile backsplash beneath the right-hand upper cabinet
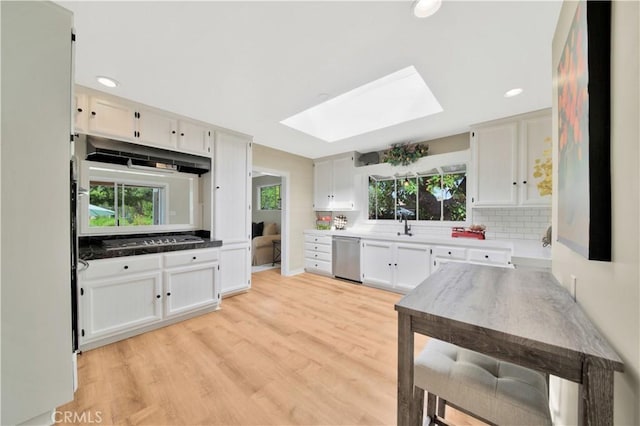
x: 529, y: 223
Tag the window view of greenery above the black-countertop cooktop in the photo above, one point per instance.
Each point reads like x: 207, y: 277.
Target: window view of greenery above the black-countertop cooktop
x: 119, y: 204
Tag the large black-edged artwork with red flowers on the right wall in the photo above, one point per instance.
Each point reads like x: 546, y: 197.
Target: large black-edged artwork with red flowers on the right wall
x: 584, y: 109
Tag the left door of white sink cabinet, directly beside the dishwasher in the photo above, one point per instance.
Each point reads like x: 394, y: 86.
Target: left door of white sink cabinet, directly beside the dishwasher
x: 377, y: 263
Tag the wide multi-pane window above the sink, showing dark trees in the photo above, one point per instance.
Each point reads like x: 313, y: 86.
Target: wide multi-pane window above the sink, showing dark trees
x: 439, y: 194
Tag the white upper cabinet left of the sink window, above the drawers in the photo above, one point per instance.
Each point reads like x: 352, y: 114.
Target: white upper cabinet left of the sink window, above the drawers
x: 333, y: 183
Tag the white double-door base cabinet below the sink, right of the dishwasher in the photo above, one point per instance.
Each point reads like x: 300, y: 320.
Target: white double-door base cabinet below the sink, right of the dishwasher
x: 394, y: 266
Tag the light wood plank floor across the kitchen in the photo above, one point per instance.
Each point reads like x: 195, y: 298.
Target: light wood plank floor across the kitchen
x: 303, y: 350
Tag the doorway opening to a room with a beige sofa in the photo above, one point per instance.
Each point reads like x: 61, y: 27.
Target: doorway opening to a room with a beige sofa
x: 269, y: 217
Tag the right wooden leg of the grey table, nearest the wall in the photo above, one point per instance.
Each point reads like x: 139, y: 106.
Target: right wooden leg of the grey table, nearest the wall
x: 595, y: 405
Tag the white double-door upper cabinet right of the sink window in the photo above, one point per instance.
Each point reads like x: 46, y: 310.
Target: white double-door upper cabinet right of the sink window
x: 504, y: 158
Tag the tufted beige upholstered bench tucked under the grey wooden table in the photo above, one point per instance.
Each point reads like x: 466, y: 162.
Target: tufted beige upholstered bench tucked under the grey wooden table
x: 494, y: 391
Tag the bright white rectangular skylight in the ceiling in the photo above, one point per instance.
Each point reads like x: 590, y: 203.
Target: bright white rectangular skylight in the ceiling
x: 396, y: 98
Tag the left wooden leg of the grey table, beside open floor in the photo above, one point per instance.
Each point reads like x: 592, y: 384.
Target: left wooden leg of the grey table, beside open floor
x: 405, y: 372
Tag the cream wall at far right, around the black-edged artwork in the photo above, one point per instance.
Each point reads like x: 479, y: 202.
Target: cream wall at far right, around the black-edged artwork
x: 609, y: 291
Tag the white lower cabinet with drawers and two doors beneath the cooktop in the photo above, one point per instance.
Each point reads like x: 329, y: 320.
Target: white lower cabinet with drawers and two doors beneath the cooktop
x: 125, y: 296
